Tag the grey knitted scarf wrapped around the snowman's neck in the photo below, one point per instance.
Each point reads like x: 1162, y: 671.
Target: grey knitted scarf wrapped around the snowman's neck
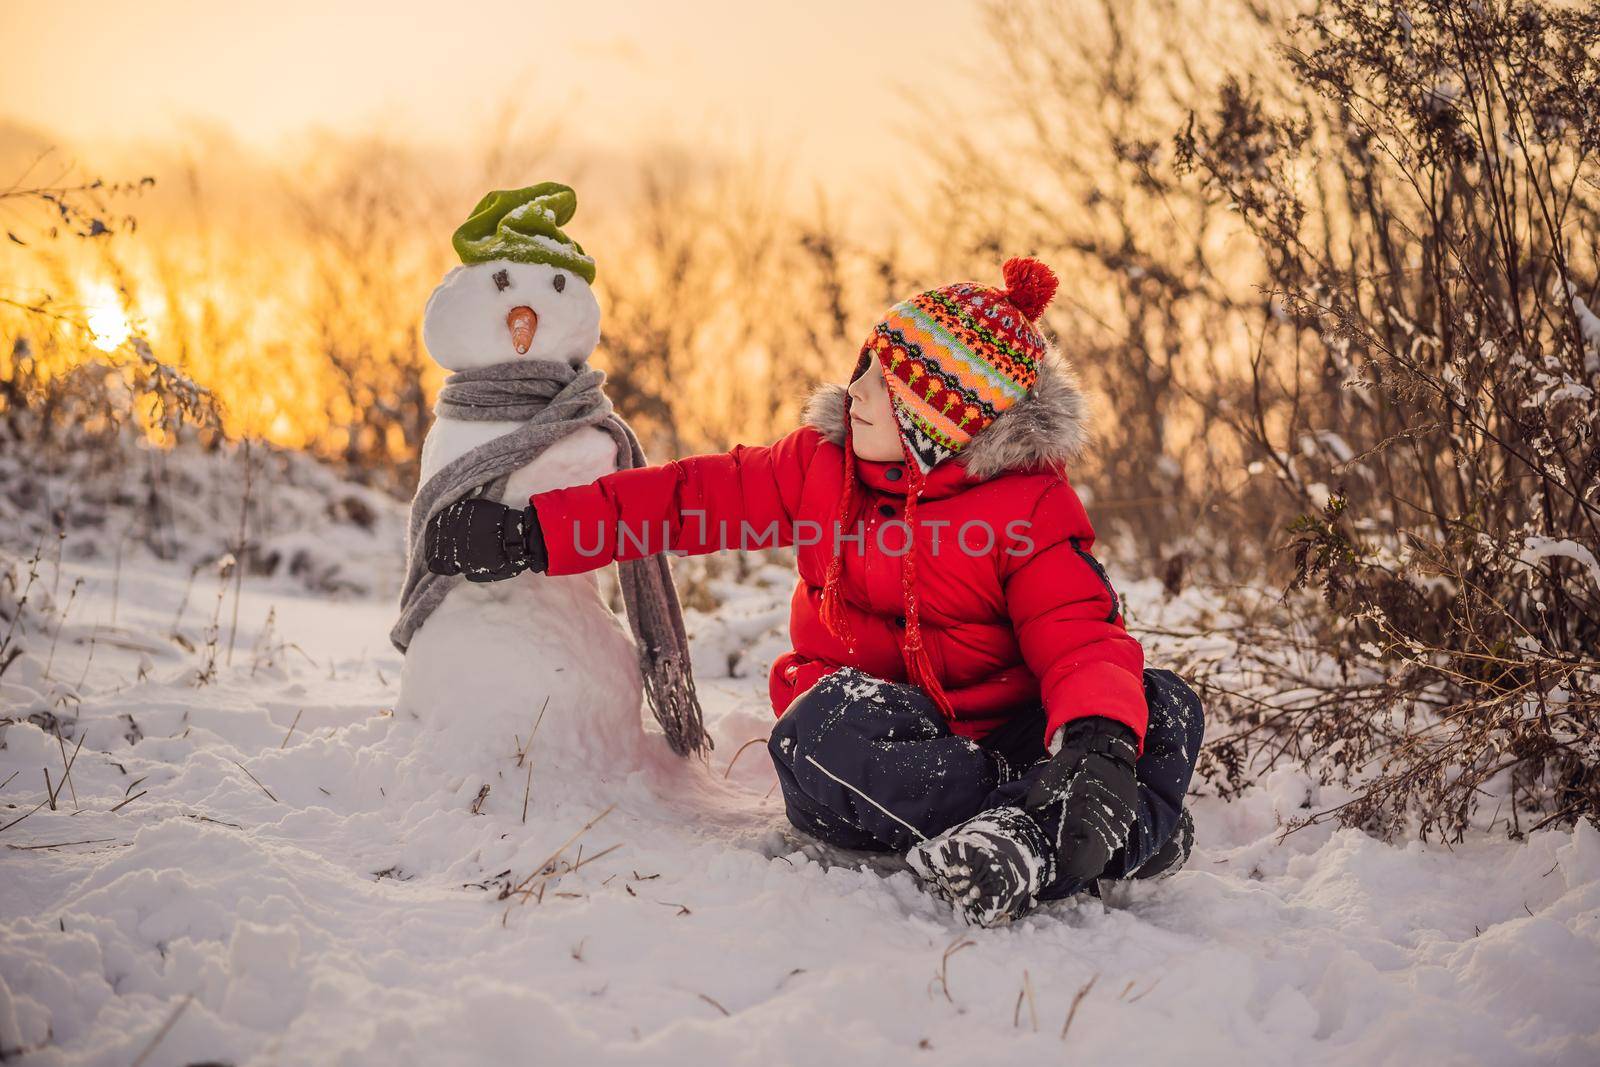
x: 553, y: 401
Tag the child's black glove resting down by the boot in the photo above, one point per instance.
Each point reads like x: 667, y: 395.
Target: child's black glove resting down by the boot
x: 1087, y: 797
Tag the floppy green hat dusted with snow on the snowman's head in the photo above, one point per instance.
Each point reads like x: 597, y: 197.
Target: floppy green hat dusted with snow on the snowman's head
x: 526, y: 226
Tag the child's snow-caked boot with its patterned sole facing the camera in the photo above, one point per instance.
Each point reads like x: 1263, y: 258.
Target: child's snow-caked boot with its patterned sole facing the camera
x: 990, y: 868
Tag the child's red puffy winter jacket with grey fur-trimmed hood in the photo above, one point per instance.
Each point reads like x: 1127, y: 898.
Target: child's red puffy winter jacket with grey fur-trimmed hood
x: 1007, y: 625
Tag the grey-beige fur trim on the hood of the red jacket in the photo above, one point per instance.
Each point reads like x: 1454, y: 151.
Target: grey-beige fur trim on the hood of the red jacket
x: 1050, y: 428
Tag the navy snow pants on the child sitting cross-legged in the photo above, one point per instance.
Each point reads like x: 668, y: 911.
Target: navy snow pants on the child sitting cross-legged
x: 871, y: 765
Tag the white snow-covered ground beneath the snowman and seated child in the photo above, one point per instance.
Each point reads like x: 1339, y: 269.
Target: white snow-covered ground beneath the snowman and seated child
x: 274, y: 869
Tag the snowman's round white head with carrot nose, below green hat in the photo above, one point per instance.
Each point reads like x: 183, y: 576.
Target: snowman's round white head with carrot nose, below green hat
x: 502, y: 311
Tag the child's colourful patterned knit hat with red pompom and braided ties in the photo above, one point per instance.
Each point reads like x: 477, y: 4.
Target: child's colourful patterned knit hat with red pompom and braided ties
x: 954, y: 361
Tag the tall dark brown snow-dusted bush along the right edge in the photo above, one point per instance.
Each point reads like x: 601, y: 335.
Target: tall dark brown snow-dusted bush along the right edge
x: 1431, y: 321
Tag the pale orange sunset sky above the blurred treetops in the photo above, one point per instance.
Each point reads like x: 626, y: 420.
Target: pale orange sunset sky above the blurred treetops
x: 823, y: 89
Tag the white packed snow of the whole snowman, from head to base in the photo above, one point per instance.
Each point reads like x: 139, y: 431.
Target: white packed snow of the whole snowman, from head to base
x: 495, y: 657
